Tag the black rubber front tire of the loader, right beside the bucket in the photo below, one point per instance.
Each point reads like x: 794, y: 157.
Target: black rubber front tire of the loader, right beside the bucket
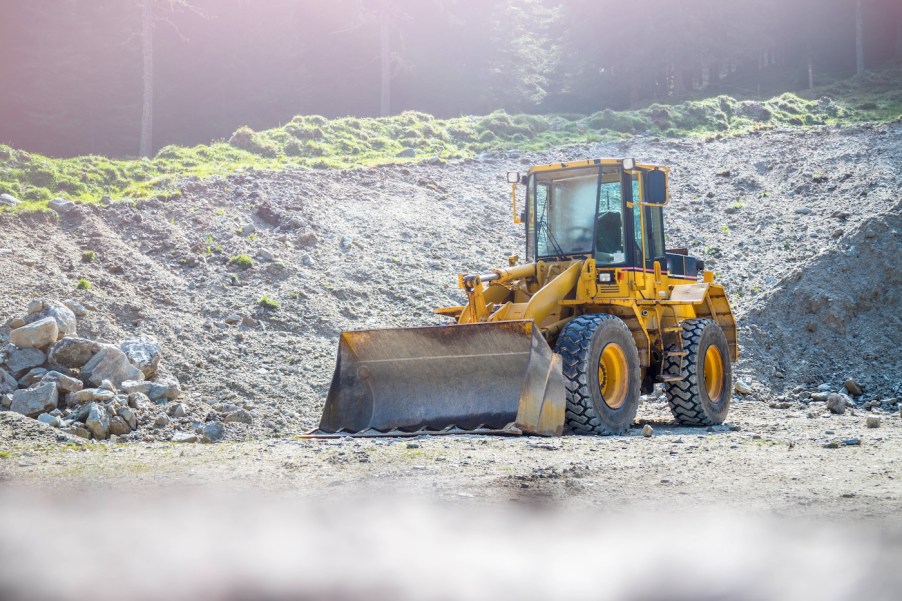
x: 580, y: 345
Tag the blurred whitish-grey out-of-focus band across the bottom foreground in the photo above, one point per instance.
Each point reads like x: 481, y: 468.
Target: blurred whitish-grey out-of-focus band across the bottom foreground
x: 212, y: 546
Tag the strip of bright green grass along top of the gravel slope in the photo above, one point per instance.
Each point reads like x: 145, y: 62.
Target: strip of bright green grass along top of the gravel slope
x: 319, y: 143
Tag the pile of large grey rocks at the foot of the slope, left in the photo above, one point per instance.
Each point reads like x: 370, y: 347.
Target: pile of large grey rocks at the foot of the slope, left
x: 85, y: 388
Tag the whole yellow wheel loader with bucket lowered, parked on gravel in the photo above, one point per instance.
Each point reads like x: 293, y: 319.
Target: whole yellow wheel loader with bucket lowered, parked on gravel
x: 620, y: 311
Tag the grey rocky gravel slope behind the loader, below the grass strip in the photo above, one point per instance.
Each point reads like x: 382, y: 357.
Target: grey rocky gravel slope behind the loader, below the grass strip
x: 786, y: 219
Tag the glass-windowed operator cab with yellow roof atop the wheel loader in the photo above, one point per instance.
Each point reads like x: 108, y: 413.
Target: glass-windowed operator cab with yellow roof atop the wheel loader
x: 607, y: 209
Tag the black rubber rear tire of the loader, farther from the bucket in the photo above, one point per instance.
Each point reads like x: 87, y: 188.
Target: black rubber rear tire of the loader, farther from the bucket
x: 688, y: 398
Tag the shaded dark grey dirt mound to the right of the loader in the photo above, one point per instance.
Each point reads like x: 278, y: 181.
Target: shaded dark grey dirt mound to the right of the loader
x: 837, y: 316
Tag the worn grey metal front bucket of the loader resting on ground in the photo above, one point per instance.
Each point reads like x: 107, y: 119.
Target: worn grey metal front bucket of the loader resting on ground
x: 486, y: 377
